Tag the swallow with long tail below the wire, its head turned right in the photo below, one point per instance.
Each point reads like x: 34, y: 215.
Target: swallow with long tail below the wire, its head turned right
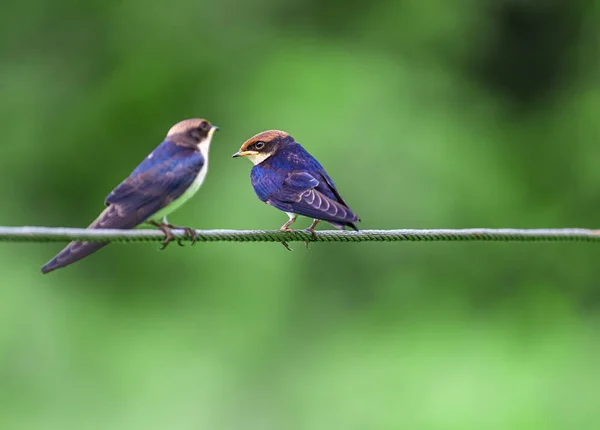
x: 166, y: 179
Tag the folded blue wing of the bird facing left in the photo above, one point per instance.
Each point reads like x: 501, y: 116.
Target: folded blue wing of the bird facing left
x: 299, y: 193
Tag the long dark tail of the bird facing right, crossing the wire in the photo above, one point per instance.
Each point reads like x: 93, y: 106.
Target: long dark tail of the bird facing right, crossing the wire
x: 75, y: 251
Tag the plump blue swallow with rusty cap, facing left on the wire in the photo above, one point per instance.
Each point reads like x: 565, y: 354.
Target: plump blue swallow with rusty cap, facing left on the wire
x: 287, y: 177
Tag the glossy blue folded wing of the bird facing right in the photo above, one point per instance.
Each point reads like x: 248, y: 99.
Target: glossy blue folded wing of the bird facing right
x: 159, y: 180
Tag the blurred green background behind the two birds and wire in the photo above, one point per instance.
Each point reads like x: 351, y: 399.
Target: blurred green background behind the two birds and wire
x: 427, y: 114
